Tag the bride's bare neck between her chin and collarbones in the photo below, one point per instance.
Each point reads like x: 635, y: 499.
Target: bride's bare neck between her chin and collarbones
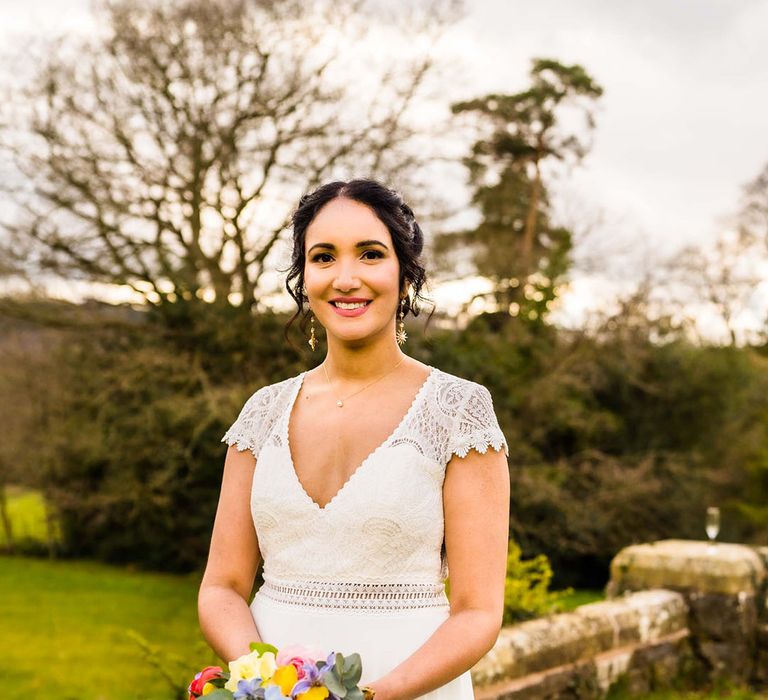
x: 359, y: 363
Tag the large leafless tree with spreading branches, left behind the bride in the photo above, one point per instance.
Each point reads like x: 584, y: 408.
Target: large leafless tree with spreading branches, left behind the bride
x: 165, y: 155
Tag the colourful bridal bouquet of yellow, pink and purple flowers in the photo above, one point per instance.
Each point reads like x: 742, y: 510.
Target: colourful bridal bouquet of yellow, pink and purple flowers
x: 293, y: 673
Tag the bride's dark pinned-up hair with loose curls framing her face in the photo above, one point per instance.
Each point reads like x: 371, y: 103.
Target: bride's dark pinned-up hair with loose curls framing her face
x: 394, y: 213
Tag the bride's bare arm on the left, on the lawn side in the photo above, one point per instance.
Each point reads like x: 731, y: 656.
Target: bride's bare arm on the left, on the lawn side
x: 225, y: 618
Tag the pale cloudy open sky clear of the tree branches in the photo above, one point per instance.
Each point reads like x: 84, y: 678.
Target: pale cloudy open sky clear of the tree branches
x: 681, y: 126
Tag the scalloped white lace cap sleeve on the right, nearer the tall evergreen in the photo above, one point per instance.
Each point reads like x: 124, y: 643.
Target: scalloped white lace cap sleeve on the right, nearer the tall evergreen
x: 476, y: 425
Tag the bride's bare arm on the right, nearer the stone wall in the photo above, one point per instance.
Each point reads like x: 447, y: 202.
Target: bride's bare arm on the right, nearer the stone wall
x: 476, y: 508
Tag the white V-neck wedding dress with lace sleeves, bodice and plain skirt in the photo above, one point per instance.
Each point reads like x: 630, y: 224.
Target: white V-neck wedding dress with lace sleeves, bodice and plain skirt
x: 365, y: 573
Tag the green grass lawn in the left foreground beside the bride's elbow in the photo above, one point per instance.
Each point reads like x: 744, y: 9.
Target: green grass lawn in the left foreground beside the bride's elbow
x: 65, y: 630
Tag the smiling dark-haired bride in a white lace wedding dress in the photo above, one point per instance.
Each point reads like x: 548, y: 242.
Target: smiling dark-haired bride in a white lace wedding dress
x: 368, y: 476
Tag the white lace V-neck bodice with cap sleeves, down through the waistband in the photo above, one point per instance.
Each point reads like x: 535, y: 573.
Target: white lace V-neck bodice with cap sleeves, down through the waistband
x: 383, y: 530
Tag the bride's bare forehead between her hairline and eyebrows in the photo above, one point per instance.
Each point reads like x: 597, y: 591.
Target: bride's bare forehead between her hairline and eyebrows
x: 343, y: 221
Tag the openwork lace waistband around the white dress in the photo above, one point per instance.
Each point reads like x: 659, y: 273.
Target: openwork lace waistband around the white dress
x: 356, y: 596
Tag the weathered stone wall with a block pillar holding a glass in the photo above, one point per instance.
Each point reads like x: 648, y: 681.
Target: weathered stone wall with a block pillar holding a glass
x: 674, y: 608
